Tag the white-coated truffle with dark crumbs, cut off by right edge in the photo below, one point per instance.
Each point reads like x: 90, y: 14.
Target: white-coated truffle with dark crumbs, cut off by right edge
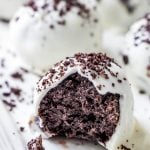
x: 137, y: 53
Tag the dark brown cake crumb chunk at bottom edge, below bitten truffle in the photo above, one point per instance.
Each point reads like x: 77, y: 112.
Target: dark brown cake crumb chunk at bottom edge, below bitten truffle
x: 35, y: 144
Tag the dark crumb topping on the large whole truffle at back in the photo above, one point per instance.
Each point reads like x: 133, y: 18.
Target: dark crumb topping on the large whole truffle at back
x: 50, y: 6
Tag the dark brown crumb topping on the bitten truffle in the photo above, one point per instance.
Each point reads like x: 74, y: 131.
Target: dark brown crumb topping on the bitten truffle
x: 94, y: 64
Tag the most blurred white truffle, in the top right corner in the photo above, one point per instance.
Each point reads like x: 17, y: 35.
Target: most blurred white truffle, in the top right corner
x: 122, y: 12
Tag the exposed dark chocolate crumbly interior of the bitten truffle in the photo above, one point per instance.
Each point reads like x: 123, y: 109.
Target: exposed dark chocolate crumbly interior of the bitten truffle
x: 75, y: 109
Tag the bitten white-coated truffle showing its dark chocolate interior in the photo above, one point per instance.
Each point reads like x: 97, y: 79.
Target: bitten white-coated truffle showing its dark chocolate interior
x: 87, y: 97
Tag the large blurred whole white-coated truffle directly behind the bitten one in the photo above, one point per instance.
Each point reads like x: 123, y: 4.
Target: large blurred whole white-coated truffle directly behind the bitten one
x: 44, y: 32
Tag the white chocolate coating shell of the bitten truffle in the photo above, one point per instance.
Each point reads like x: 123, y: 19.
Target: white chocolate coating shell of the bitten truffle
x: 114, y: 73
